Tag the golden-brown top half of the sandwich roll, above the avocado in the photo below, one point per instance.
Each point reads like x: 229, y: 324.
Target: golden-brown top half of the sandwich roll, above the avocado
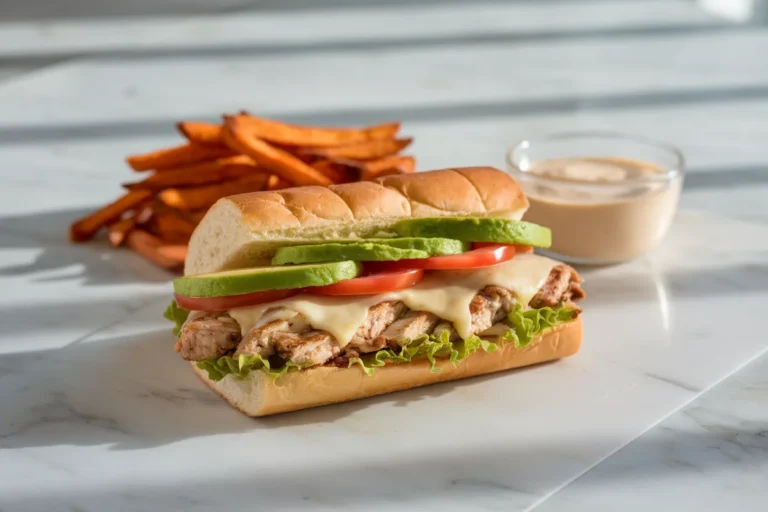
x: 245, y: 230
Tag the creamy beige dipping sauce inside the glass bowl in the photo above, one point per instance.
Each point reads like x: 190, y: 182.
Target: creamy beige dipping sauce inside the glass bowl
x: 601, y: 210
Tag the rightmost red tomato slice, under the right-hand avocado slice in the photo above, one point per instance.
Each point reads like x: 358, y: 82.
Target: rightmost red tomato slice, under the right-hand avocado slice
x: 486, y: 256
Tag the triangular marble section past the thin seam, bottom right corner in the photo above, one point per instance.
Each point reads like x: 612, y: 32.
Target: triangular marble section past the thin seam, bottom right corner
x: 712, y: 455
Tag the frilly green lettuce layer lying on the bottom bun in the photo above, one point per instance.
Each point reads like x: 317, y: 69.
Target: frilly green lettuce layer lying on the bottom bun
x: 526, y: 325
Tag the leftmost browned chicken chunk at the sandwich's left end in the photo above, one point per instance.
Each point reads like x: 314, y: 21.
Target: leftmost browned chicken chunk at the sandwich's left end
x: 208, y: 335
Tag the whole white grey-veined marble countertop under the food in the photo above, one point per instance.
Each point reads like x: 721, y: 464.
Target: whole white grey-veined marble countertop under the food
x: 664, y: 406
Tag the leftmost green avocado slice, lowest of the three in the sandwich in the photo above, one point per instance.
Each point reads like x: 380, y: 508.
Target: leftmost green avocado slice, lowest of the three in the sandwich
x: 247, y: 280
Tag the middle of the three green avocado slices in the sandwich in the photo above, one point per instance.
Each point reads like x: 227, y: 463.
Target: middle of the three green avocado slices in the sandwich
x: 372, y: 249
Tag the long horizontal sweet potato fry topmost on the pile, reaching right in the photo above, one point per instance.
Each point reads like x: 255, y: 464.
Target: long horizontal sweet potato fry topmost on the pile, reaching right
x: 312, y: 137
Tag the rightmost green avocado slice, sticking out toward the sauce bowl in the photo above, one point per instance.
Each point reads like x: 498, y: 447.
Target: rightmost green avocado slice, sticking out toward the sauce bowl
x: 477, y: 229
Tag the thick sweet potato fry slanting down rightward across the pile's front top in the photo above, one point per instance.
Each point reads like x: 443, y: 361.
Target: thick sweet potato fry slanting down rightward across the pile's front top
x: 275, y: 160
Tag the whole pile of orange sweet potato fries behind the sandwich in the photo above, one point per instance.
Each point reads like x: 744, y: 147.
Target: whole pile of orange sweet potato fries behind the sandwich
x: 156, y: 216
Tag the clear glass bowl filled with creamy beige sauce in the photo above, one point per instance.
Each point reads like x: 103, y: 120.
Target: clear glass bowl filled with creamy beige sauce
x: 607, y: 214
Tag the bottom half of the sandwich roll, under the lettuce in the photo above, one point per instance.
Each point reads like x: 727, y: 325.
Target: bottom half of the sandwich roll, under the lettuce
x: 259, y: 395
